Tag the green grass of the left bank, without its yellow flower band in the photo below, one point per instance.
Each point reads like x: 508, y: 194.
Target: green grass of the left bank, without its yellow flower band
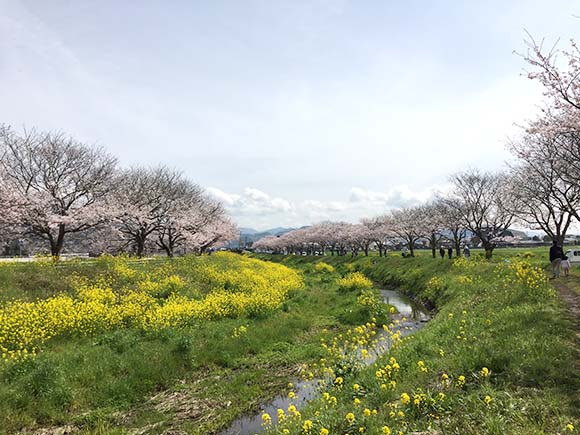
x: 197, y: 378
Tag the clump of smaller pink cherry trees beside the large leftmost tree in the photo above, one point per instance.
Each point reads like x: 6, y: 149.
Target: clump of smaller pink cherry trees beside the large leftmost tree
x: 161, y: 206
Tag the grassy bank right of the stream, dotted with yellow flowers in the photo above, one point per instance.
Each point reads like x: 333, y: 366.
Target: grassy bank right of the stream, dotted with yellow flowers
x: 499, y: 356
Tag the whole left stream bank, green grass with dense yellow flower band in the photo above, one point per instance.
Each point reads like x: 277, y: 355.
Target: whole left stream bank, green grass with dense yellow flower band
x: 147, y: 346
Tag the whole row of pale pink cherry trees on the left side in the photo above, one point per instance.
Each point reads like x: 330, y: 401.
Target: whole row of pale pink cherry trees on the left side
x: 54, y: 188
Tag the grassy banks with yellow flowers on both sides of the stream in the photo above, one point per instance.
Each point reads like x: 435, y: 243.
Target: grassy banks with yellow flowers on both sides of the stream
x: 164, y: 355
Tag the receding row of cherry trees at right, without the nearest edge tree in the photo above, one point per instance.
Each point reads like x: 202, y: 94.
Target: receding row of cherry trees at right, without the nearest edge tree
x: 481, y: 205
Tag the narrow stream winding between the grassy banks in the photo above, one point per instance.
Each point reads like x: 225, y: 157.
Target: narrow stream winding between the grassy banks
x: 415, y: 318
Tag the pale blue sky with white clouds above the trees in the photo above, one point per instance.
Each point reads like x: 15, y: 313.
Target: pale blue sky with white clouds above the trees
x: 290, y: 112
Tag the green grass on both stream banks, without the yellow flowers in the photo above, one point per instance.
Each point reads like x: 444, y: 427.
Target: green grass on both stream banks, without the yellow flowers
x: 199, y: 378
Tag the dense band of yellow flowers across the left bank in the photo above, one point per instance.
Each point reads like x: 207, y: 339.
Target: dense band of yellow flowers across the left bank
x: 233, y: 286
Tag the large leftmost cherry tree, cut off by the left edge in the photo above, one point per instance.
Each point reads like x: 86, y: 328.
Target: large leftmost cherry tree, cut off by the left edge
x: 53, y: 185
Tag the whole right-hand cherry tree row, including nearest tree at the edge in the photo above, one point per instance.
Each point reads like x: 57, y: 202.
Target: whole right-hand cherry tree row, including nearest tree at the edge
x: 540, y: 189
